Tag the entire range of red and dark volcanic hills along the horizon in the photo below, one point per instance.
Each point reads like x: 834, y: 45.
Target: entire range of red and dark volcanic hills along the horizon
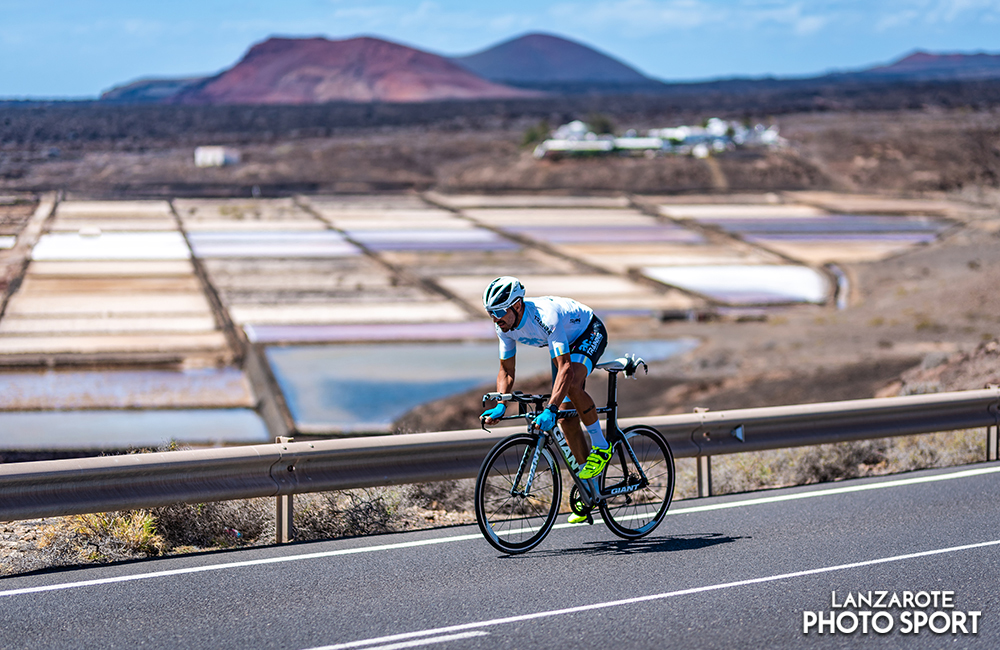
x: 317, y: 70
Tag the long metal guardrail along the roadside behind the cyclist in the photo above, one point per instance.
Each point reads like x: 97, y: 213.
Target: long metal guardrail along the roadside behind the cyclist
x: 76, y: 486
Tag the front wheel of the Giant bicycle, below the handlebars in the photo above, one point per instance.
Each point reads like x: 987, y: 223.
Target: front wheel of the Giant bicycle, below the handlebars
x: 513, y: 516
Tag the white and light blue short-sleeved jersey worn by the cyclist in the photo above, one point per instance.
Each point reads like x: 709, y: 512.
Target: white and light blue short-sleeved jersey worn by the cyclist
x: 548, y: 320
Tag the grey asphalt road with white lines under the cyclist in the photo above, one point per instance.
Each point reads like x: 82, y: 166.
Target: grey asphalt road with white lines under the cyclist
x: 736, y: 571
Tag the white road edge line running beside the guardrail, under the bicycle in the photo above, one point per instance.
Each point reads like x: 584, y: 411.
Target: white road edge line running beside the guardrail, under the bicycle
x: 463, y: 538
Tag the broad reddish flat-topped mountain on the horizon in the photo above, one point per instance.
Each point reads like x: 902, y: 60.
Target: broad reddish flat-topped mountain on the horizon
x: 317, y: 70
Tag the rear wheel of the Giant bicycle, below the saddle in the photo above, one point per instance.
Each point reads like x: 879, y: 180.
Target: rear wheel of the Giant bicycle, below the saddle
x: 637, y: 513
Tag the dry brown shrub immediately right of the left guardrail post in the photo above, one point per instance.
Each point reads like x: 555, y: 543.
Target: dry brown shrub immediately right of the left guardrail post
x: 350, y: 512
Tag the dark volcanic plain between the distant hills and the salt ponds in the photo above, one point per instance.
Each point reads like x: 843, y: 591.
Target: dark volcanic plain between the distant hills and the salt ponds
x: 887, y: 138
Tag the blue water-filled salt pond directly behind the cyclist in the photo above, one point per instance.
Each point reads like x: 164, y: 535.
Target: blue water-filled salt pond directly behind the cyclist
x: 364, y: 388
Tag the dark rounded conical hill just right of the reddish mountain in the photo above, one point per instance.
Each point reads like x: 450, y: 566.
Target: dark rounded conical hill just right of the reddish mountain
x: 548, y: 62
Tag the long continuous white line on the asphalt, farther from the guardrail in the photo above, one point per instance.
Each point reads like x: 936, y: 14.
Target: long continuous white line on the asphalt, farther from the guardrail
x: 645, y: 599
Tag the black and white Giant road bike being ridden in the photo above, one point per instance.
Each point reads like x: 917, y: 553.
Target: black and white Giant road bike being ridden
x: 519, y: 487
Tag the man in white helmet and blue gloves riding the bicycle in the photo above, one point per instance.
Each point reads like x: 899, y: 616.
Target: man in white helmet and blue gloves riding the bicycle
x: 576, y: 338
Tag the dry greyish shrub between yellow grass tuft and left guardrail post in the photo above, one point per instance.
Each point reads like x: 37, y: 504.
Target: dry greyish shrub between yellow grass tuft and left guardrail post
x: 220, y: 523
